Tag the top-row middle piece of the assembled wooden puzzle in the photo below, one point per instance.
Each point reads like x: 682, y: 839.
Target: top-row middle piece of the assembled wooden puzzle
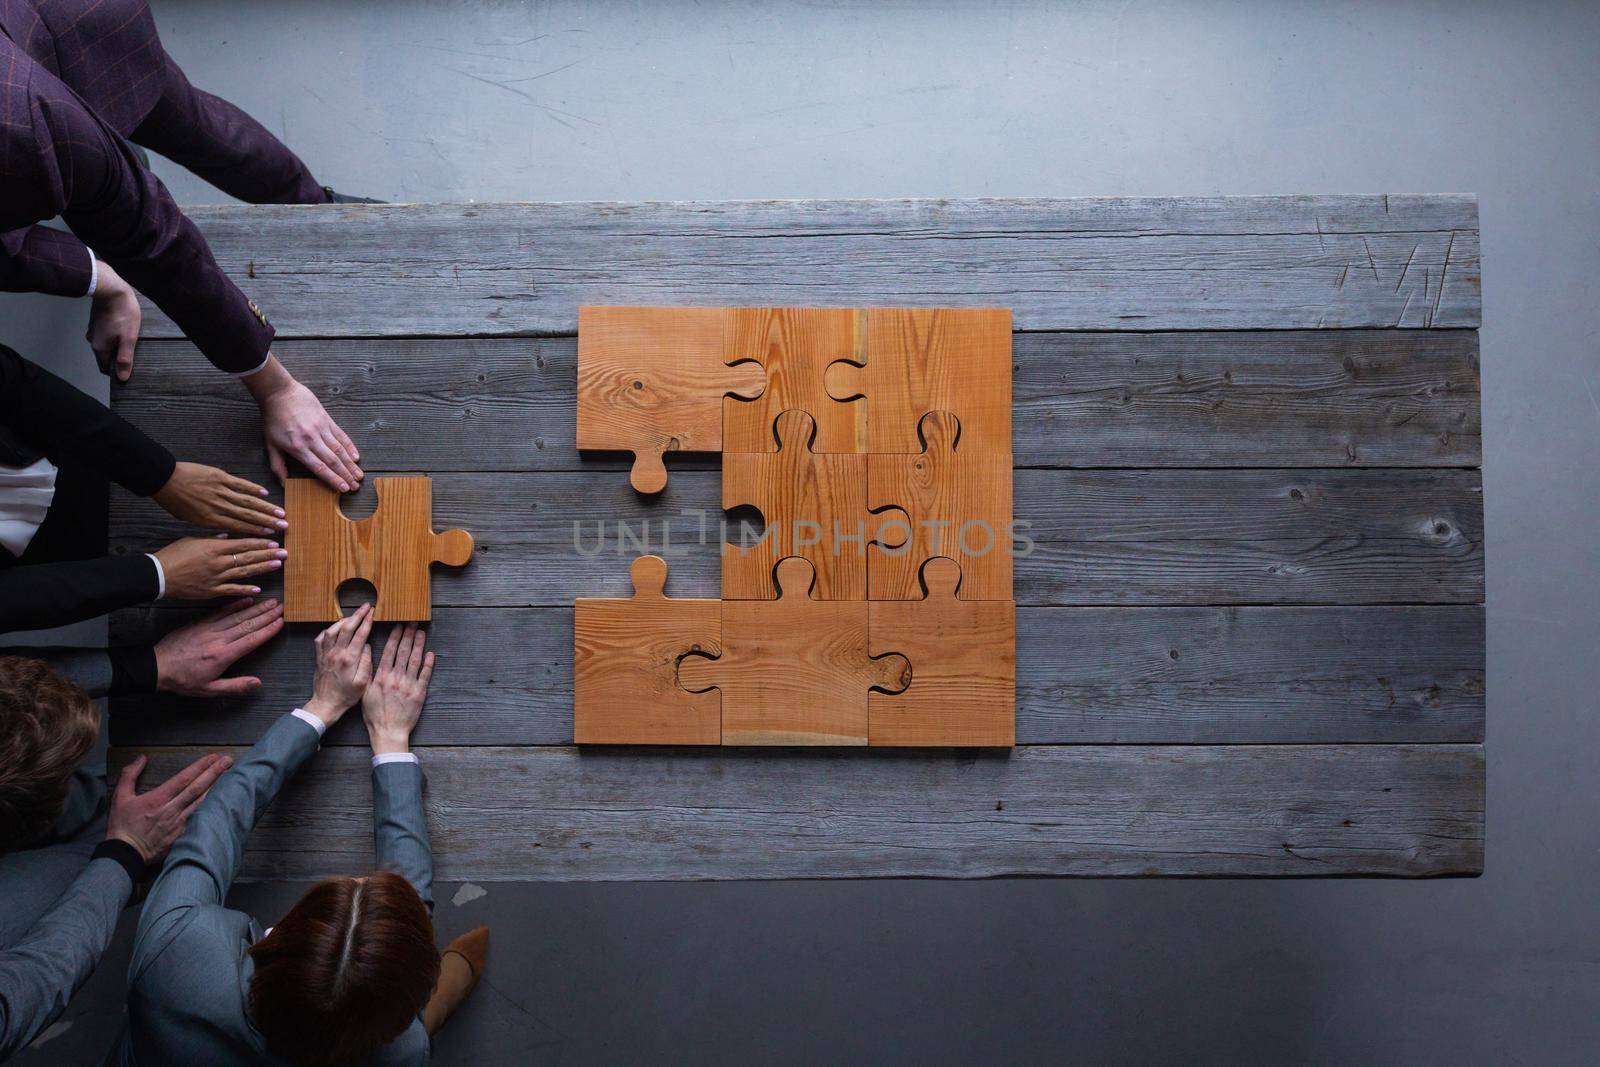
x: 796, y: 346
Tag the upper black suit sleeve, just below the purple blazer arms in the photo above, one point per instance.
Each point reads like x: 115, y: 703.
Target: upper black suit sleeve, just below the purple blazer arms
x: 60, y: 422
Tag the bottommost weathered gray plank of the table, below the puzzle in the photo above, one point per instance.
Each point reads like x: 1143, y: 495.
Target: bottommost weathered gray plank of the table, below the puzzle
x: 562, y: 815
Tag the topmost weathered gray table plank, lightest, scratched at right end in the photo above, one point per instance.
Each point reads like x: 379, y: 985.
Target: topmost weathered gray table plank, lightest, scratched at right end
x: 1191, y: 263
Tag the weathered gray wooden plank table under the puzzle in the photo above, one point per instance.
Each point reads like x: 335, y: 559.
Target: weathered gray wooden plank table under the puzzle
x: 1247, y: 441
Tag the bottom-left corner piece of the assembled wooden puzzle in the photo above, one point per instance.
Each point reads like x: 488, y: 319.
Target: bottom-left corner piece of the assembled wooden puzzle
x: 626, y: 666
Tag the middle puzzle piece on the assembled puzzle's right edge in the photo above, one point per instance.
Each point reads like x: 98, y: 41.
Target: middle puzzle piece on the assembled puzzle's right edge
x: 959, y: 503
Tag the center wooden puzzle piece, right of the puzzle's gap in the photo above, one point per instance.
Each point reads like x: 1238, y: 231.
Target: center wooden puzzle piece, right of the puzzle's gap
x: 815, y: 506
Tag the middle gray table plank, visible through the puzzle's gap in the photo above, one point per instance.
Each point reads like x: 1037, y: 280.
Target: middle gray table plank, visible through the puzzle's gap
x: 1100, y: 537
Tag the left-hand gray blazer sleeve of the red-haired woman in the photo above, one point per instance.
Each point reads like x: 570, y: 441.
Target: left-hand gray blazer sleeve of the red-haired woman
x: 206, y: 860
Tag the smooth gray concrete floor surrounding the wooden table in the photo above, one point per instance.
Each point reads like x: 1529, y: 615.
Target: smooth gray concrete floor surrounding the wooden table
x: 497, y: 100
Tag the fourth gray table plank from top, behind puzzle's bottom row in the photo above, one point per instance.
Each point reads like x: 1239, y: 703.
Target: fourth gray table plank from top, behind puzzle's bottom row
x: 1086, y: 676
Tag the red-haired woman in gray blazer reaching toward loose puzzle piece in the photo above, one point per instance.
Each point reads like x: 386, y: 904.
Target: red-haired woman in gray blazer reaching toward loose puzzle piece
x: 351, y: 975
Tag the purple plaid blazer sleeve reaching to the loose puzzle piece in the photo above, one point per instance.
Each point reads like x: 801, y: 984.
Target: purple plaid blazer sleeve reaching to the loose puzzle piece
x: 60, y: 159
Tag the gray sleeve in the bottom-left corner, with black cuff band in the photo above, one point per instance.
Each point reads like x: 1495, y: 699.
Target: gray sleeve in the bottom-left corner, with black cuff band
x: 41, y: 973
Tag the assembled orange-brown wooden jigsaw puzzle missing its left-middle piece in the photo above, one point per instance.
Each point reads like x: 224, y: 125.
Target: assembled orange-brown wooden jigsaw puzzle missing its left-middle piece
x: 878, y: 607
